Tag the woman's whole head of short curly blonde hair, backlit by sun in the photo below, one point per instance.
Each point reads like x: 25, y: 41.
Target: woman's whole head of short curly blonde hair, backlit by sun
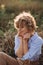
x: 25, y: 19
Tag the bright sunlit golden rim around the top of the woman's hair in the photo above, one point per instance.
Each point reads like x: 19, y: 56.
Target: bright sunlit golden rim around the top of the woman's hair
x: 26, y: 14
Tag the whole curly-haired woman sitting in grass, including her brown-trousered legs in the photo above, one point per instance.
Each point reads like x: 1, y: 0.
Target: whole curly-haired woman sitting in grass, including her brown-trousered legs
x: 27, y: 42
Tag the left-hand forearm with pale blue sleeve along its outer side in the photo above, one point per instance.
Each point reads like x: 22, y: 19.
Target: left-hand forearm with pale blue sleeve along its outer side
x: 18, y: 47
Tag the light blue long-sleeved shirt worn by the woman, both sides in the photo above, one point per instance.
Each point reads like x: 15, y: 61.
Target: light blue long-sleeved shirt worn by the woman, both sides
x: 34, y: 44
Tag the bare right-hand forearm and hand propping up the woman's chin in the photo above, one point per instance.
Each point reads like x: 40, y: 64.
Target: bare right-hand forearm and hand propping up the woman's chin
x: 26, y: 37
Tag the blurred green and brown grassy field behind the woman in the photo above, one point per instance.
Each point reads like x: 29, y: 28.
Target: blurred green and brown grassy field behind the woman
x: 8, y: 10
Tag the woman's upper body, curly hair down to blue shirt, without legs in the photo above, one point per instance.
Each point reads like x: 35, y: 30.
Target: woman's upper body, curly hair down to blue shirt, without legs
x: 27, y: 40
